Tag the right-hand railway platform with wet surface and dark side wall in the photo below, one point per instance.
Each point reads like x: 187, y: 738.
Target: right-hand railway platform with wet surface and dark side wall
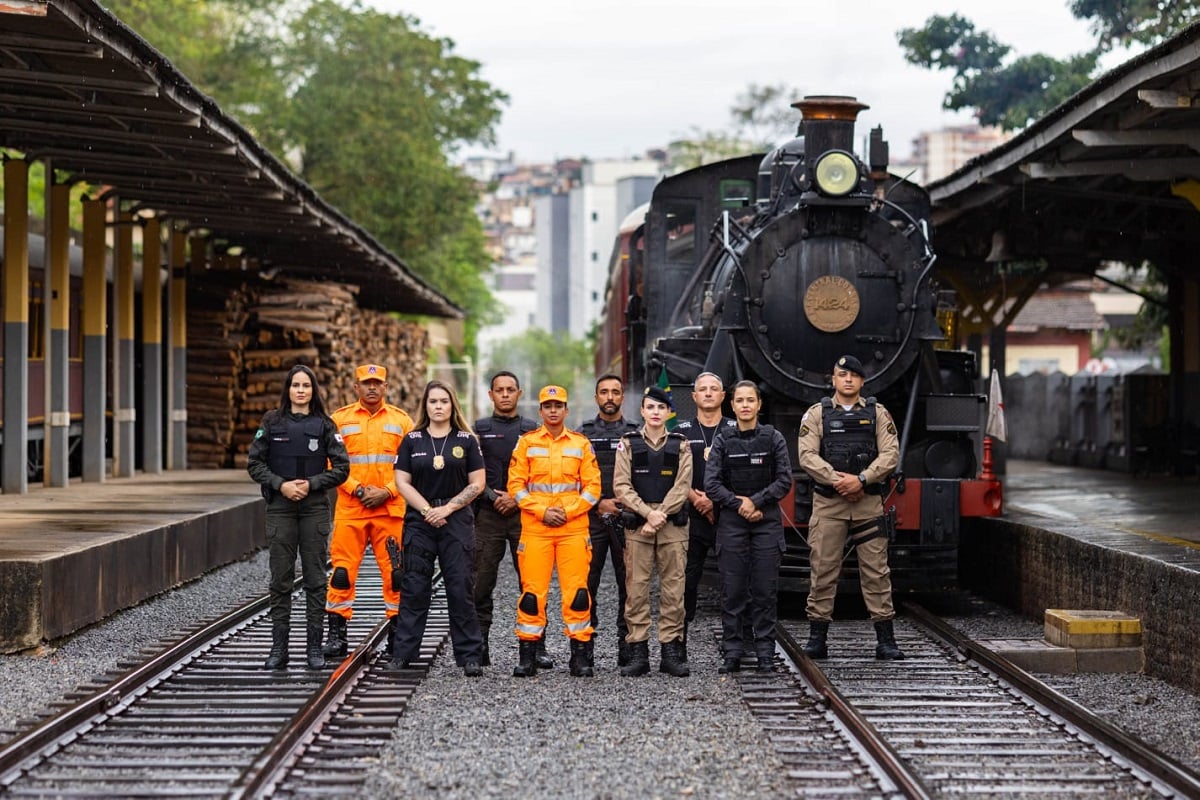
x: 1075, y: 538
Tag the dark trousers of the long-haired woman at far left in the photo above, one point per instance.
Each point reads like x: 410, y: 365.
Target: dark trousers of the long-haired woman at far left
x: 298, y: 528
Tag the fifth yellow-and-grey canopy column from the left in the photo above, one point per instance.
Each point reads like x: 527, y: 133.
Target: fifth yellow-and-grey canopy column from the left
x: 152, y: 347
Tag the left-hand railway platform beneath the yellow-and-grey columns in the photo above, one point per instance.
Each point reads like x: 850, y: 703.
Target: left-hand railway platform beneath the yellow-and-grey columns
x: 70, y: 557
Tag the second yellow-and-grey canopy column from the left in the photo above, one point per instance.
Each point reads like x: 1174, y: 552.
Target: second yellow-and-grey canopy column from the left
x: 58, y: 354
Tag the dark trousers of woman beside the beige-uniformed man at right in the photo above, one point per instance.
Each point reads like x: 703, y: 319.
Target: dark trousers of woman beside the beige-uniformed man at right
x: 748, y: 556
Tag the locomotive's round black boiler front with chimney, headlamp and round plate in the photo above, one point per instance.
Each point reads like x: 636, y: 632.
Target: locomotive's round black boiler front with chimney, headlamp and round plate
x: 832, y: 267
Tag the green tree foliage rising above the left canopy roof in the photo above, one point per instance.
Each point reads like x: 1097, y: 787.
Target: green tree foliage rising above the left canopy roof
x: 363, y: 105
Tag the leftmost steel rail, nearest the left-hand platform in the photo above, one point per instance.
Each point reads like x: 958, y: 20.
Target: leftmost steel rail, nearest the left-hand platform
x: 63, y: 727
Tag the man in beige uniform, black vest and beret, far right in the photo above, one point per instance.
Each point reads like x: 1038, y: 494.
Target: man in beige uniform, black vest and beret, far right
x: 849, y: 447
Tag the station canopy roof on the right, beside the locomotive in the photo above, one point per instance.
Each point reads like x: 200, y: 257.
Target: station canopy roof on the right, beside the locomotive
x: 1111, y: 175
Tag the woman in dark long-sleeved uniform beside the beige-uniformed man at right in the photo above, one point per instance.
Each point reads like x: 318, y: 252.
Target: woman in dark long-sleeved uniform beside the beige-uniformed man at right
x: 747, y: 476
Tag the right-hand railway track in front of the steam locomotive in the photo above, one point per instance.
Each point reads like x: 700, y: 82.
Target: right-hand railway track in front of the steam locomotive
x: 951, y: 720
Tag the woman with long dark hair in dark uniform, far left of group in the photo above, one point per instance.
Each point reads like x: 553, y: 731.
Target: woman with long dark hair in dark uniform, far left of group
x: 297, y: 456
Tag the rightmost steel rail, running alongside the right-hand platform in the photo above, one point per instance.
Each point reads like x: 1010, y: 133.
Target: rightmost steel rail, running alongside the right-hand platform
x: 1157, y: 765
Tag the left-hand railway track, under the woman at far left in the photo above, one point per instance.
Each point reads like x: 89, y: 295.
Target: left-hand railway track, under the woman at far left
x: 203, y: 719
